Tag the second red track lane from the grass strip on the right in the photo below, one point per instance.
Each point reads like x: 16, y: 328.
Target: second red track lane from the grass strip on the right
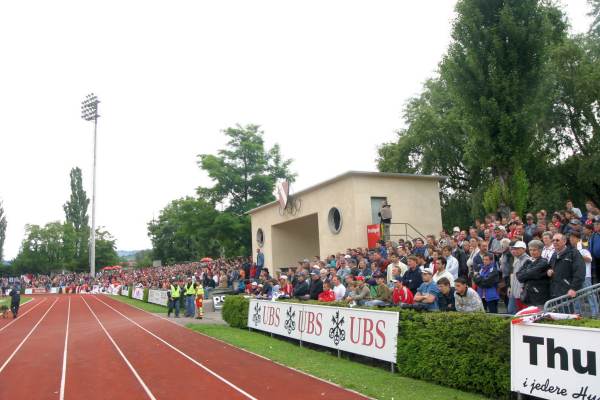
x: 166, y: 373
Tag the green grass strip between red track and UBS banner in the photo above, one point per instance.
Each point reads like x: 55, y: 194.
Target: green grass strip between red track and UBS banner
x: 370, y: 381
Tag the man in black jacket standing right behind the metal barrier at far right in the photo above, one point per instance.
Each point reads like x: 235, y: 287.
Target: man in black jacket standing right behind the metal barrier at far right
x: 567, y: 268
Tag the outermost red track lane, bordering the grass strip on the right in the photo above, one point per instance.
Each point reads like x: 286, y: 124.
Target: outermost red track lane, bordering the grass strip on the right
x: 259, y: 377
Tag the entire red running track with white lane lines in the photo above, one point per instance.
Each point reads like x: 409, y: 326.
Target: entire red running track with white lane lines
x: 94, y: 347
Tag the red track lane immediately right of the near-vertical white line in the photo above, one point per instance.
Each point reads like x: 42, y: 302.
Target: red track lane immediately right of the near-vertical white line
x: 93, y: 363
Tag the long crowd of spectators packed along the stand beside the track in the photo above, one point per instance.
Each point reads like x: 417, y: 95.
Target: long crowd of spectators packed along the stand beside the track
x: 501, y: 261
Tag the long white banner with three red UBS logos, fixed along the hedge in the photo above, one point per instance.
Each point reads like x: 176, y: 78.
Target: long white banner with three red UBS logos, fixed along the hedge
x: 367, y: 332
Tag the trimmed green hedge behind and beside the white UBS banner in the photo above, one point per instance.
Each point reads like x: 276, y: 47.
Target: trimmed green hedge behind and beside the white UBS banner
x: 465, y: 351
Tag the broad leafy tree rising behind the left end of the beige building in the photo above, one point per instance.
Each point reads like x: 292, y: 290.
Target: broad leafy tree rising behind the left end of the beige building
x: 245, y: 172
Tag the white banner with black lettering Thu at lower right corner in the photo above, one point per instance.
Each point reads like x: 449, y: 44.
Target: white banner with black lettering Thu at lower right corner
x: 555, y: 362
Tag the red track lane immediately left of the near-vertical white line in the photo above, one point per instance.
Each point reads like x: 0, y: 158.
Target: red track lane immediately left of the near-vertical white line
x: 35, y: 370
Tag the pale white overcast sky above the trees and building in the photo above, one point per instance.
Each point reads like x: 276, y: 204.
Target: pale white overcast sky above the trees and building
x: 325, y: 79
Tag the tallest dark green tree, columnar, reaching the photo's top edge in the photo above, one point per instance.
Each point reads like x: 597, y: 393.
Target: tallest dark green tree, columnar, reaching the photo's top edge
x: 496, y: 70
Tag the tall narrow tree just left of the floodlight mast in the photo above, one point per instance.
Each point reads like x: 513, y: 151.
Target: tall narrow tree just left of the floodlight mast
x: 76, y: 212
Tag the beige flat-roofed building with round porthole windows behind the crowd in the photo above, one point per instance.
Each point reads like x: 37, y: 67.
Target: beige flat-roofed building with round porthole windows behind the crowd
x: 333, y: 215
